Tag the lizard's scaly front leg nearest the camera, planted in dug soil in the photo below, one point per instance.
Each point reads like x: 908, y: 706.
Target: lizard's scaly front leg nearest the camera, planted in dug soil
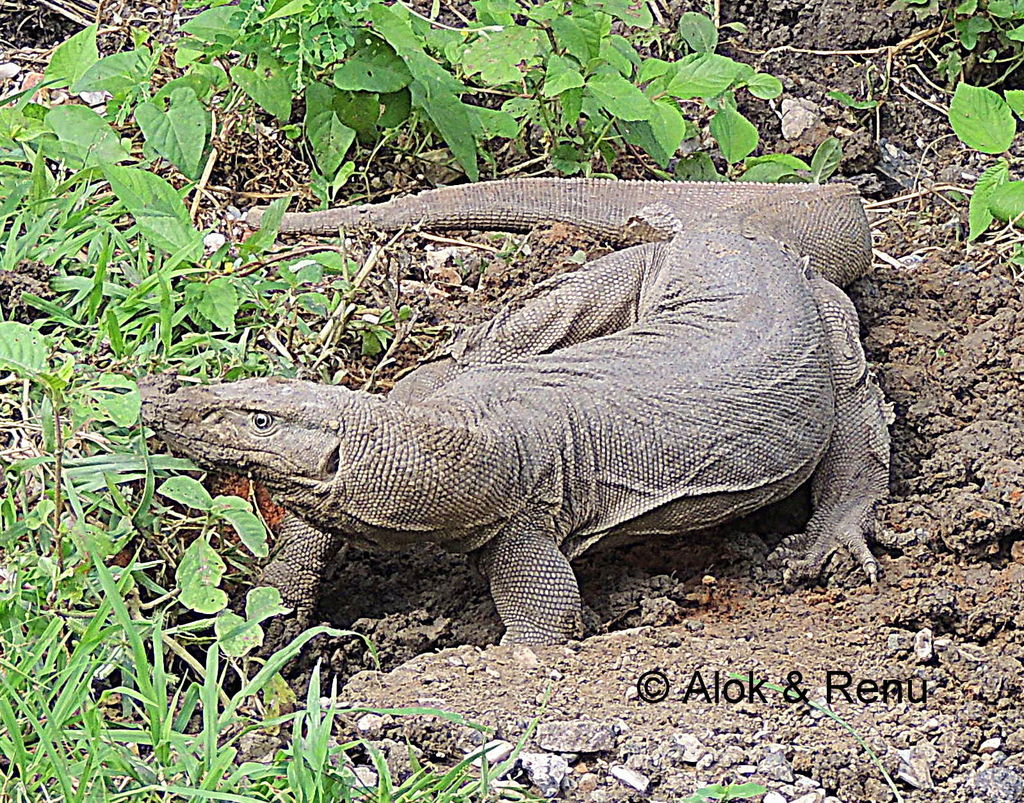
x: 532, y: 583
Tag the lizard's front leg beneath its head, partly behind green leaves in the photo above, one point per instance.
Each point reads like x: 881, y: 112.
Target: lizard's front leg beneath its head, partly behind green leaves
x: 296, y: 571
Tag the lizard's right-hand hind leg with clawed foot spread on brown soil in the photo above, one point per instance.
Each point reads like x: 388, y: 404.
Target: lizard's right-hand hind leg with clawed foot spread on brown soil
x: 854, y: 476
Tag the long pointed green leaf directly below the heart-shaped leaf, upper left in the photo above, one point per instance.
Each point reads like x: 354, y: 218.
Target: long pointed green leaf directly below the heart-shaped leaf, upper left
x: 157, y: 208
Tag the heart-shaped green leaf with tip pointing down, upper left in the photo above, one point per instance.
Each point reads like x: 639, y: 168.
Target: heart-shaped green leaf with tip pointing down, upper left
x: 178, y: 134
